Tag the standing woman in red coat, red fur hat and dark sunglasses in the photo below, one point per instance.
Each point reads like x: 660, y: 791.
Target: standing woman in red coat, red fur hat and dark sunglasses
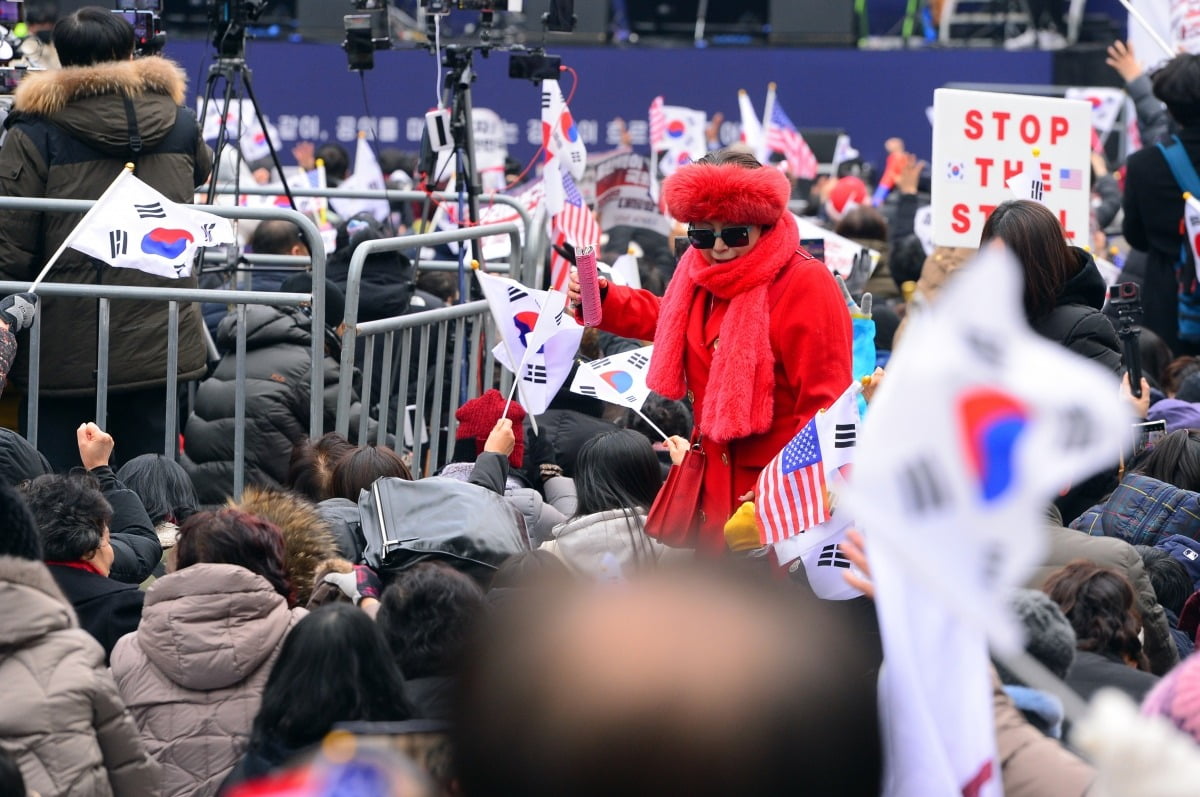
x: 753, y: 329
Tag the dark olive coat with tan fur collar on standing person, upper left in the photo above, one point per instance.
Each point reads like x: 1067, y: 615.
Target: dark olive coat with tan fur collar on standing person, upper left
x: 69, y: 137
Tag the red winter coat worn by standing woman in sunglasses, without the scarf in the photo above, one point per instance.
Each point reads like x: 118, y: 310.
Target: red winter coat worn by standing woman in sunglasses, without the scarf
x: 812, y: 340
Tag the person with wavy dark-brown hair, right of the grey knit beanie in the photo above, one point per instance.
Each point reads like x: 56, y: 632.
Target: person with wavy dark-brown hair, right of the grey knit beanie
x: 1100, y: 604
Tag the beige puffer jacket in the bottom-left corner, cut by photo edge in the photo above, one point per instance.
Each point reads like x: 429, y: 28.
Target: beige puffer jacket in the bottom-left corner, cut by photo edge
x: 62, y: 718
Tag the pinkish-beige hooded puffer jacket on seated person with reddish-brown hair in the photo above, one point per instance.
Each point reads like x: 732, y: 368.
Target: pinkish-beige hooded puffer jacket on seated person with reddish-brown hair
x: 194, y: 673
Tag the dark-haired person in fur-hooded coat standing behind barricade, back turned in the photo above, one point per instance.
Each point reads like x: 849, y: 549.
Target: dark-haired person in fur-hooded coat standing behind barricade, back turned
x: 70, y: 134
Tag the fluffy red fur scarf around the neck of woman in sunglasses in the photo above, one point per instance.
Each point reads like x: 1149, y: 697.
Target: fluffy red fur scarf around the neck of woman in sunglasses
x: 740, y: 395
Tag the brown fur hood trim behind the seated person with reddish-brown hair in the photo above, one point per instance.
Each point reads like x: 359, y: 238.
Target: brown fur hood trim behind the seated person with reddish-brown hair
x: 308, y: 541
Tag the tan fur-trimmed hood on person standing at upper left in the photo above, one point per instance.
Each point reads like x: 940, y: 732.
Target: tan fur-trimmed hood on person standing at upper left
x: 88, y: 101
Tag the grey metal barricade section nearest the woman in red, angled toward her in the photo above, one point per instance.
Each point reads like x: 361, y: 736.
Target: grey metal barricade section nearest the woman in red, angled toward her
x: 467, y: 321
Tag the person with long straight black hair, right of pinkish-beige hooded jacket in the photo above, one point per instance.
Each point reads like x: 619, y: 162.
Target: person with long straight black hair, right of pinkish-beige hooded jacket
x: 335, y: 668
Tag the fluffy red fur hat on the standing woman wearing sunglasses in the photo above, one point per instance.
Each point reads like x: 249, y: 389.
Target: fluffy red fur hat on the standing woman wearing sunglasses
x: 728, y: 193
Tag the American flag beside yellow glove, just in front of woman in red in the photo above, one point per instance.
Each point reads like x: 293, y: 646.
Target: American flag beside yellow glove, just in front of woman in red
x: 790, y: 496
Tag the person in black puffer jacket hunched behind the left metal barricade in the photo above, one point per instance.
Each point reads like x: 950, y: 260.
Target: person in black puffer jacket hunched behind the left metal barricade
x: 278, y: 363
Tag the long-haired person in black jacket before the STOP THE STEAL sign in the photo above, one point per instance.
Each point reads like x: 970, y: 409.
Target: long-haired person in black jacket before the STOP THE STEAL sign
x: 1064, y: 290
